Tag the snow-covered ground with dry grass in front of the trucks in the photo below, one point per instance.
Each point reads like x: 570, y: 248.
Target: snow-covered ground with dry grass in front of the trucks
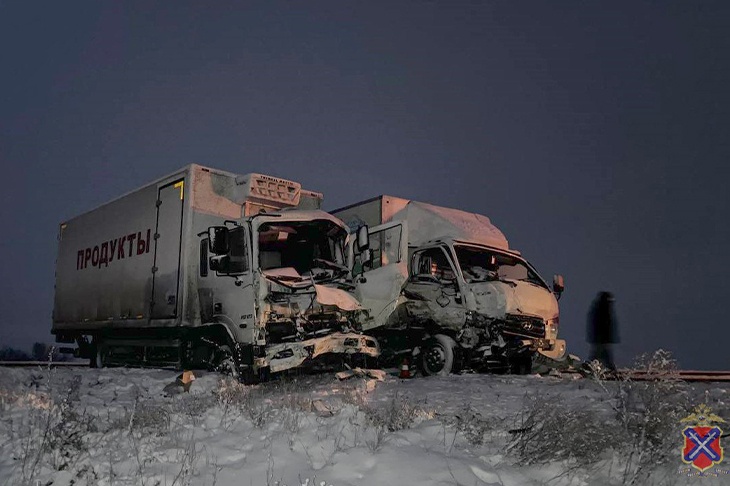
x: 75, y: 426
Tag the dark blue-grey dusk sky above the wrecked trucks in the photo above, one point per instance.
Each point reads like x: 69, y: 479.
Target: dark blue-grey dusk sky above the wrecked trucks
x: 595, y: 135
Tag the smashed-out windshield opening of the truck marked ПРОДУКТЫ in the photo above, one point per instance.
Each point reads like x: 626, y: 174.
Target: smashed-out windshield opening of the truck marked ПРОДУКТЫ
x: 302, y: 245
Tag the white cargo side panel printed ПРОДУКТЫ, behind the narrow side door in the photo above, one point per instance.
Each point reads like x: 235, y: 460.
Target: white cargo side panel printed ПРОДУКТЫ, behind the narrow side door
x: 103, y: 273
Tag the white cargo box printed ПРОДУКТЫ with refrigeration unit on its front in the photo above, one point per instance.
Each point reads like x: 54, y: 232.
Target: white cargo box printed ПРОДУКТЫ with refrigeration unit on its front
x: 125, y: 261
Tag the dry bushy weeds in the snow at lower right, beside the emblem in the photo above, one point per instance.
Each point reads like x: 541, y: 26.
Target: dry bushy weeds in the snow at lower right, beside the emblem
x: 637, y: 435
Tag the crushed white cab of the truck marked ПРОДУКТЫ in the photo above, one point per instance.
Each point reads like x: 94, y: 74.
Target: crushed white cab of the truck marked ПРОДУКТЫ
x: 302, y: 313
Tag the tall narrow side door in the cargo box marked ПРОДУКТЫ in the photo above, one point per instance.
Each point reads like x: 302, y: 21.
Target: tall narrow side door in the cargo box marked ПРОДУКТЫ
x: 168, y: 235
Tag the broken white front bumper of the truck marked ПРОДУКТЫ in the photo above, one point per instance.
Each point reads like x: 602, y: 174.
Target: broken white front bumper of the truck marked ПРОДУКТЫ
x: 284, y: 356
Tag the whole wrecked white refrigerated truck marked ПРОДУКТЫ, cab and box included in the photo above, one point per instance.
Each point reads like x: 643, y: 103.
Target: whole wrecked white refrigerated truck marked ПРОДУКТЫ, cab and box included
x: 208, y: 268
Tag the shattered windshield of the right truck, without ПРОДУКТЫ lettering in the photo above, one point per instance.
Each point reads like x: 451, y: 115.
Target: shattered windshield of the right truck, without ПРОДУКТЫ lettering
x: 479, y: 265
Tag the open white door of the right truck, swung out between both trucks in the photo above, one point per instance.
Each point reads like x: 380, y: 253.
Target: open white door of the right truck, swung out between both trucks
x: 379, y: 286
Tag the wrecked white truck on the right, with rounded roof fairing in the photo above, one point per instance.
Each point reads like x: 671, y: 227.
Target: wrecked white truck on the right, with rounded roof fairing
x: 444, y: 285
